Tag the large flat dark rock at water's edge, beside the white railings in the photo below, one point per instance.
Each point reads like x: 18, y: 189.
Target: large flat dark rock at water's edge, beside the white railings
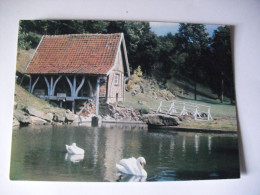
x: 161, y: 120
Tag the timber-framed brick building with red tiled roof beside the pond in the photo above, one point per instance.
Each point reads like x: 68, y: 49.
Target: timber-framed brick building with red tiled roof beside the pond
x: 71, y: 69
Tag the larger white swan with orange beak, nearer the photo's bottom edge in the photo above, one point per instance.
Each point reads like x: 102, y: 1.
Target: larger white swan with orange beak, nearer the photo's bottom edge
x: 132, y: 166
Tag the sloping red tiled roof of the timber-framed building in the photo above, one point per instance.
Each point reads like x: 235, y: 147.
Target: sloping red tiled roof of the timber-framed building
x: 77, y: 54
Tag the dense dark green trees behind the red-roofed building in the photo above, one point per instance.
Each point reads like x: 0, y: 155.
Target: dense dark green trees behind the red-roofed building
x: 190, y: 54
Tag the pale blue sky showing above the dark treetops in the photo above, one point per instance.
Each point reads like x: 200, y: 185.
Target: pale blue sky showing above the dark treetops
x: 162, y: 28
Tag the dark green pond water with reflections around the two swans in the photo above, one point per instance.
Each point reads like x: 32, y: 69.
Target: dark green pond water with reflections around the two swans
x: 39, y: 153
